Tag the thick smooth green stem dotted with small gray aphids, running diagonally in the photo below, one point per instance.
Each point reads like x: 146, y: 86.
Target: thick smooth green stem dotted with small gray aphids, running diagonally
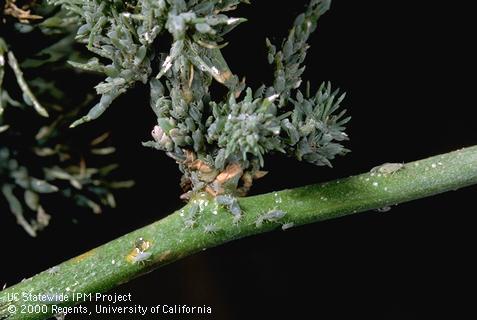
x: 203, y: 224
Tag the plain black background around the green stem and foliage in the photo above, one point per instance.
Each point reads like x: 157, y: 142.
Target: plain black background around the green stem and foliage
x: 409, y: 70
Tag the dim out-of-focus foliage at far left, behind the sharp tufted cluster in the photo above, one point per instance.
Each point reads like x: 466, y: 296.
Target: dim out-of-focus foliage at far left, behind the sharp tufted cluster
x: 37, y: 158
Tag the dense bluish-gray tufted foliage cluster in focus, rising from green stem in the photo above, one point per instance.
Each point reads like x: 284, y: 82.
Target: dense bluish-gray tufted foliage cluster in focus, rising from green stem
x: 208, y: 138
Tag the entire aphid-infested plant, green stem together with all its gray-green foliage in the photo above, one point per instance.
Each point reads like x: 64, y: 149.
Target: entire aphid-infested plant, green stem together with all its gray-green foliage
x: 219, y: 144
